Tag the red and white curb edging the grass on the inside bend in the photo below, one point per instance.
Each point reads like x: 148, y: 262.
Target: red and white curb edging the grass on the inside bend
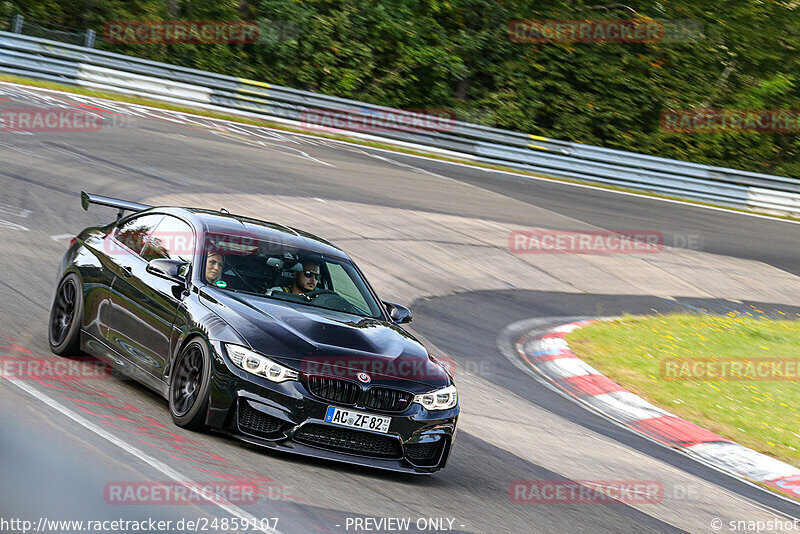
x: 549, y: 354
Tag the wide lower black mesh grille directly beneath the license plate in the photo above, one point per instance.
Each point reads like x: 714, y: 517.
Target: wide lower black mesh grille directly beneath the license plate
x: 346, y: 440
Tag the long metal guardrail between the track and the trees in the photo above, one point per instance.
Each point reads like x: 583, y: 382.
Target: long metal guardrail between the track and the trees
x: 49, y: 60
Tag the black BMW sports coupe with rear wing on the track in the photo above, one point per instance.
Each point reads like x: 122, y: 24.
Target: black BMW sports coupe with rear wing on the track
x: 258, y: 330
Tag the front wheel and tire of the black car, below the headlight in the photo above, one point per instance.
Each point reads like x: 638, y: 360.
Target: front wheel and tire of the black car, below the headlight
x: 189, y: 386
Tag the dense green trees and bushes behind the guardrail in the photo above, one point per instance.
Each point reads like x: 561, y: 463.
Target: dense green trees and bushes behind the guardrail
x: 457, y: 55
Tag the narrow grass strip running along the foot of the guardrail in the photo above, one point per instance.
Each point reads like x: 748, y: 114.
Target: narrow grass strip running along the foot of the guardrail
x: 279, y: 126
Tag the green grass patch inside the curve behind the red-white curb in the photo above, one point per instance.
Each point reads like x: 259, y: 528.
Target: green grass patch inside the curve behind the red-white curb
x: 763, y: 415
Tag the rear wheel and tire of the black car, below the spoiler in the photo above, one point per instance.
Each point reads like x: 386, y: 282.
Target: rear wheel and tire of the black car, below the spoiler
x: 66, y: 316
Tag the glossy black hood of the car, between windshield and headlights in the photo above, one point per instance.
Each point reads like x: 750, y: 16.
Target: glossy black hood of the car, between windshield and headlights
x: 324, y: 342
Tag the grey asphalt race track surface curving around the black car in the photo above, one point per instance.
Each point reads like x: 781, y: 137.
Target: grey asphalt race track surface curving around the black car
x: 61, y: 444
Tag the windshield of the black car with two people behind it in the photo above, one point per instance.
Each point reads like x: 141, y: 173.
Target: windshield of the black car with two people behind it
x: 277, y: 271
